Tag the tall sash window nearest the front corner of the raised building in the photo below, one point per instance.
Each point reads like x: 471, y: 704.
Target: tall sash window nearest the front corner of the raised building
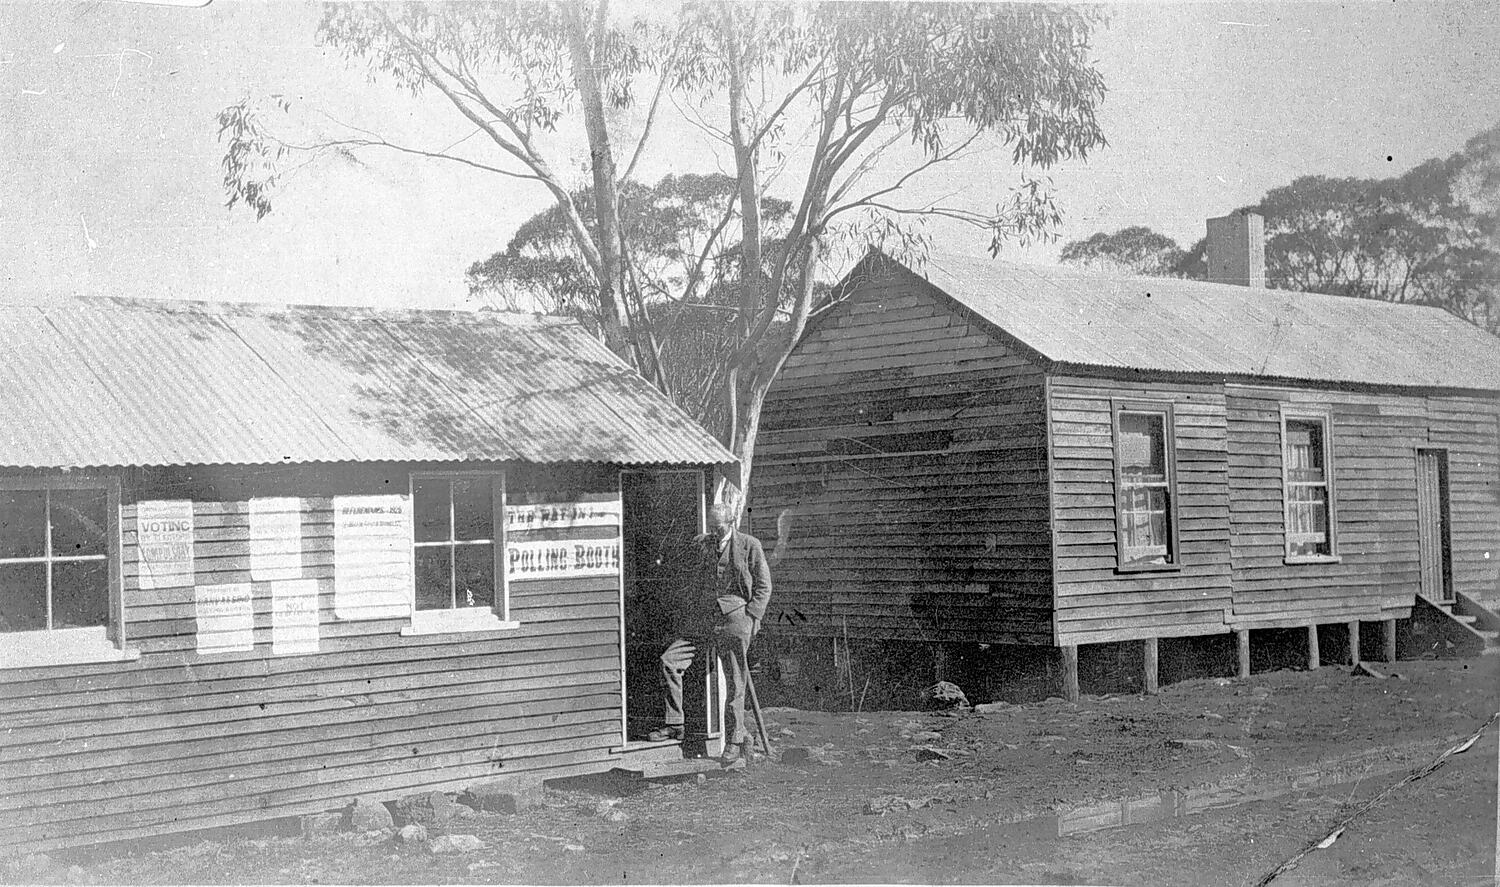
x: 1145, y: 489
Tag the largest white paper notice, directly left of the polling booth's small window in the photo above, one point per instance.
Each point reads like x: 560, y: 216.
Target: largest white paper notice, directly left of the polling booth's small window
x: 373, y: 571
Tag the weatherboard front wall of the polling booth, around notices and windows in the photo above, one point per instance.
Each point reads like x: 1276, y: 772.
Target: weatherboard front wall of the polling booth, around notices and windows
x: 182, y: 741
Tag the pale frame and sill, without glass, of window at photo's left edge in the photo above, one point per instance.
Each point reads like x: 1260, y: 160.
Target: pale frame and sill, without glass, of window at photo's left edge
x: 82, y: 646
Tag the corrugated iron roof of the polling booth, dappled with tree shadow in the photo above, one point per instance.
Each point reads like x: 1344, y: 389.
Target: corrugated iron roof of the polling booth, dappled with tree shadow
x: 121, y: 382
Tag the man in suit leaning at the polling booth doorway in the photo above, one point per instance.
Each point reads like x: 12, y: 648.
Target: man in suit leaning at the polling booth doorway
x: 730, y: 592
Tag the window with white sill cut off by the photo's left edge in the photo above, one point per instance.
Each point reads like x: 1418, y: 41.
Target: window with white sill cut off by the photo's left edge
x: 59, y: 576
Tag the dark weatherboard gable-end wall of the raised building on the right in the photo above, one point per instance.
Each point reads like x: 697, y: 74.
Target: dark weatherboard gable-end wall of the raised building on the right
x: 902, y: 472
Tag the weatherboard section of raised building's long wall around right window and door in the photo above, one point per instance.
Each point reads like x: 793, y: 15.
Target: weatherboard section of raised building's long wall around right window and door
x: 1375, y: 437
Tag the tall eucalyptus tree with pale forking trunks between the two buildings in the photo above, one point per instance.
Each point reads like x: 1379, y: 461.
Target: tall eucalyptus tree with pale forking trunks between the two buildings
x: 845, y: 110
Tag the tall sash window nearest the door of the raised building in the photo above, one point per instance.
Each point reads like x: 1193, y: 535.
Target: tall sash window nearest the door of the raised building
x: 1307, y: 489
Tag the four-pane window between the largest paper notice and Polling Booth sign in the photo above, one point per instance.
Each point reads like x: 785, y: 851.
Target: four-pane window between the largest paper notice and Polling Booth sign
x: 458, y: 553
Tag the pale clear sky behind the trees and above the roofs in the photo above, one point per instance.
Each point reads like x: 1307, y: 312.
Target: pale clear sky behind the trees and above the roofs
x: 112, y: 163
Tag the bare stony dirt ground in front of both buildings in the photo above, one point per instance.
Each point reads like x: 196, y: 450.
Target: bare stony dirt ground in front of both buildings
x: 976, y: 798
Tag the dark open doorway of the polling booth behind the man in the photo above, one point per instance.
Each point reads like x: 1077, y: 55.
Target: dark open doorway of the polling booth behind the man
x: 662, y: 514
